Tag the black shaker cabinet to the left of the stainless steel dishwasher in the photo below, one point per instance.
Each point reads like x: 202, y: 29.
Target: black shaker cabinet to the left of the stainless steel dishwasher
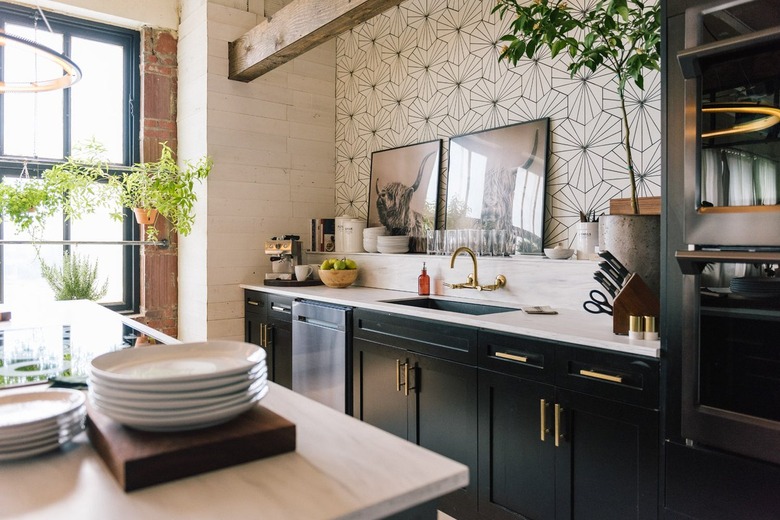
x: 268, y: 324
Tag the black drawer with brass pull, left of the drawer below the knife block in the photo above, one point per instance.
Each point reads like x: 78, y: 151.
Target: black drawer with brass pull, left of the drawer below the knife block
x: 517, y: 355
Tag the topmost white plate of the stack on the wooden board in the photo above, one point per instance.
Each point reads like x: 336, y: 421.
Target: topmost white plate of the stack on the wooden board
x: 178, y: 363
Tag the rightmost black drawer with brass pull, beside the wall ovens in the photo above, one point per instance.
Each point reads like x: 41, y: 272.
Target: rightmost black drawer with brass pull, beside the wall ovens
x: 620, y: 377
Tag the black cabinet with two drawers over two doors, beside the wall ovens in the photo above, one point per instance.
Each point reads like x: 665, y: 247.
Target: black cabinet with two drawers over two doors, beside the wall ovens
x: 548, y: 449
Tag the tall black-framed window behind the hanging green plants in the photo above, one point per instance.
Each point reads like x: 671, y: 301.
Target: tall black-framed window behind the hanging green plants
x: 41, y: 129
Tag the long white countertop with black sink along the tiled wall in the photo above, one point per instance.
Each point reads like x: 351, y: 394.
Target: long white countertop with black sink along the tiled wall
x: 571, y: 325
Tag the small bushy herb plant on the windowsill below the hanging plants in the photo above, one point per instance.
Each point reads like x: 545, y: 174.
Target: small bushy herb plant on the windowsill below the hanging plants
x: 75, y: 279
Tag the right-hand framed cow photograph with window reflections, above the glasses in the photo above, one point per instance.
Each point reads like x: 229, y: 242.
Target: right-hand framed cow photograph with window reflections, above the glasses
x: 496, y: 183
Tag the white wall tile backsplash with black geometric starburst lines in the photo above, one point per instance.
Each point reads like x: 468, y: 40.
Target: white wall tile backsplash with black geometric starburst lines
x: 429, y: 69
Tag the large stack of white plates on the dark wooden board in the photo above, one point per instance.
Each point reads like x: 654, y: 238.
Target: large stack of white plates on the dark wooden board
x: 178, y: 387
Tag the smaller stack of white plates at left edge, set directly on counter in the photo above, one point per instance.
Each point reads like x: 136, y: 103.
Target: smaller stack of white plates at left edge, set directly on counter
x: 37, y: 422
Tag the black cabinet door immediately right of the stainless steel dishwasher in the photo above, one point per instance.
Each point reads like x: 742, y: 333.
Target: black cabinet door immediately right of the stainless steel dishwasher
x: 379, y: 391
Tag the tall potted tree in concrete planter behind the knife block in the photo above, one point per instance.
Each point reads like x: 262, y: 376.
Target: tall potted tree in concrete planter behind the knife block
x: 623, y: 37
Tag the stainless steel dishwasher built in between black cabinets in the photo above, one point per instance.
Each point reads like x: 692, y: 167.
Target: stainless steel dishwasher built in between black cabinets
x: 322, y: 353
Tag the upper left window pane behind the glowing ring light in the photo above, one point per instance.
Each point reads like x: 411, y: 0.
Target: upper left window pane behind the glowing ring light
x: 32, y: 122
